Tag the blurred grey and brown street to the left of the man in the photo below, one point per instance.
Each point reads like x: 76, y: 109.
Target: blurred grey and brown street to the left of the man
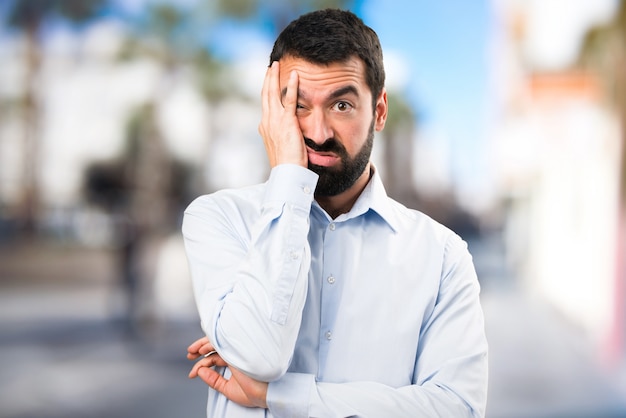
x: 65, y: 353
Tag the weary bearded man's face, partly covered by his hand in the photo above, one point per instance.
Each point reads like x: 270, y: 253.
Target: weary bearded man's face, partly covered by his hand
x: 337, y: 120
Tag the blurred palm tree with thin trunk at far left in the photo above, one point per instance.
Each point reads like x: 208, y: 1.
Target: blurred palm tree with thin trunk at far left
x: 30, y: 17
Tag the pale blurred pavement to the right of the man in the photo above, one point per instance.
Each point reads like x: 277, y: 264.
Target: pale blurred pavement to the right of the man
x: 541, y: 365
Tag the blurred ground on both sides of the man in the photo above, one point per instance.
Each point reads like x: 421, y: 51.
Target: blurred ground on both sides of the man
x: 65, y: 350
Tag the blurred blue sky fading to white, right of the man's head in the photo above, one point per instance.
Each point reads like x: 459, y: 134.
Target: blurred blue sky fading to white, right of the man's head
x: 444, y: 46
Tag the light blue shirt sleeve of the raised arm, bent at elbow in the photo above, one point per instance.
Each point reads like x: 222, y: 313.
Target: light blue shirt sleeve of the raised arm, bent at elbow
x: 249, y: 271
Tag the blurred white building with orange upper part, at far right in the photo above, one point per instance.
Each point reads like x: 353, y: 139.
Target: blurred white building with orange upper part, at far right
x: 557, y: 157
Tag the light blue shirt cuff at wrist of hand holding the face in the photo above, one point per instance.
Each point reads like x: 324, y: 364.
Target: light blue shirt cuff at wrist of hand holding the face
x: 291, y: 183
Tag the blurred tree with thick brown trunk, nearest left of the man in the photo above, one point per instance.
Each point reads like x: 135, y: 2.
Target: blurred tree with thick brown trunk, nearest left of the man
x: 174, y: 37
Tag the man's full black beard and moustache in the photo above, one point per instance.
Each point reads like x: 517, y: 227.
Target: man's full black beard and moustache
x: 335, y: 180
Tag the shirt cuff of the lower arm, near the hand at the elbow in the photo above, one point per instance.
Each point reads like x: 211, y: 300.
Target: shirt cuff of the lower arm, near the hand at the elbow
x: 289, y: 395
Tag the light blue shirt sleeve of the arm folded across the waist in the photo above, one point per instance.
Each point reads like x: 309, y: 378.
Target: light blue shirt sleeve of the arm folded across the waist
x: 450, y: 376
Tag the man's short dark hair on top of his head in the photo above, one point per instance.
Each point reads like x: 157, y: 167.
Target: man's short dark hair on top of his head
x: 331, y: 36
